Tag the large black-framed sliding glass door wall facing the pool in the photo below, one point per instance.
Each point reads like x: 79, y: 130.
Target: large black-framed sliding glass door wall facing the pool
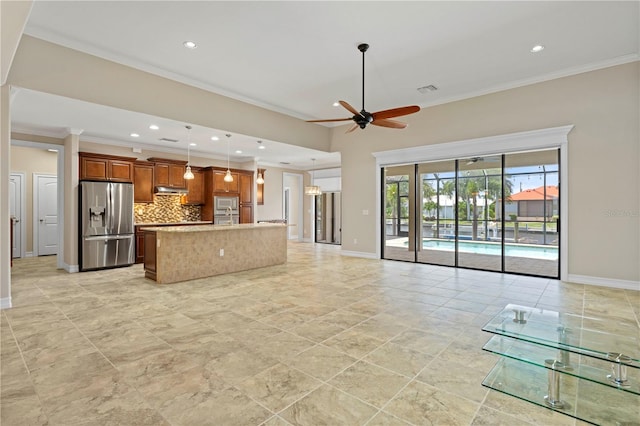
x: 452, y: 213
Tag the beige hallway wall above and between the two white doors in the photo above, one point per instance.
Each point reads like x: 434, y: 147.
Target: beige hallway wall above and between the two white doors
x: 29, y: 161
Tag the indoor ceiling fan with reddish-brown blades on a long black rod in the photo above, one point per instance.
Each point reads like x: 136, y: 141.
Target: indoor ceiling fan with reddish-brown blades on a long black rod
x: 380, y: 118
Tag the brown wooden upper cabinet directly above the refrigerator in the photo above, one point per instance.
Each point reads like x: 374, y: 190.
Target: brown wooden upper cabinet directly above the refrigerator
x: 106, y: 167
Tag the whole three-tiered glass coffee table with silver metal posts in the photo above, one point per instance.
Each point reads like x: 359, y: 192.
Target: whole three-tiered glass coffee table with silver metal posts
x: 584, y: 367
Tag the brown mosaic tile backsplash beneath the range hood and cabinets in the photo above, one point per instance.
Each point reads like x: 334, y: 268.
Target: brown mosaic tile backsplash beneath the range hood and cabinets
x: 165, y: 209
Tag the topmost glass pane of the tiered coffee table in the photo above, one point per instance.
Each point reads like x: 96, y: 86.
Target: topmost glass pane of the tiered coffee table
x: 611, y: 339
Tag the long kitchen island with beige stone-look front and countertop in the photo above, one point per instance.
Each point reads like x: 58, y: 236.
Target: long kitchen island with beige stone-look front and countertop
x: 181, y: 253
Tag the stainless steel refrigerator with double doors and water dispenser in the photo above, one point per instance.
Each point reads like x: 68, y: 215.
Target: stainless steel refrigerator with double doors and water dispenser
x: 107, y: 236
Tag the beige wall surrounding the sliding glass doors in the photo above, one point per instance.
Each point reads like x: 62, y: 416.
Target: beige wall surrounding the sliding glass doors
x: 603, y: 149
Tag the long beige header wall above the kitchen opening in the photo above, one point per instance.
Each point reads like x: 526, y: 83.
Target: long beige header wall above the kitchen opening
x: 51, y: 68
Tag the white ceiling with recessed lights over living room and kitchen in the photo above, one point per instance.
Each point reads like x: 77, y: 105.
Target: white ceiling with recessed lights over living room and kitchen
x: 298, y: 57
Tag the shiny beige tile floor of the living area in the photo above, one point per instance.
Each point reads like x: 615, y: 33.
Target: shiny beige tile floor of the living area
x: 323, y: 340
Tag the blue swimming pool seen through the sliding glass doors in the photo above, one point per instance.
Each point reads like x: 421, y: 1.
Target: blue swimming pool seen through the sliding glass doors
x: 481, y: 247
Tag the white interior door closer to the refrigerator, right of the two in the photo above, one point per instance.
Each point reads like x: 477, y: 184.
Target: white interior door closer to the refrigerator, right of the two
x: 46, y: 212
